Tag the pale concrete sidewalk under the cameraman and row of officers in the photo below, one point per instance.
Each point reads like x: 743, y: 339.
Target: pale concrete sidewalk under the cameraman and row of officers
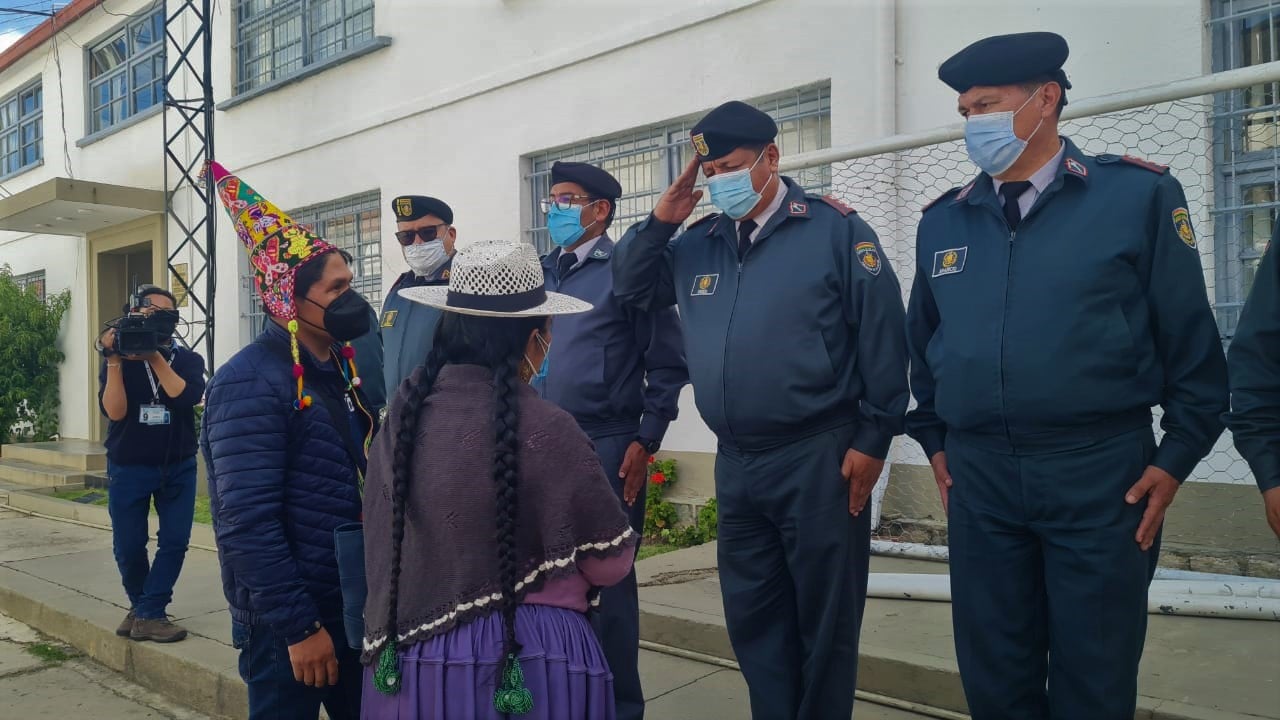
x: 61, y: 578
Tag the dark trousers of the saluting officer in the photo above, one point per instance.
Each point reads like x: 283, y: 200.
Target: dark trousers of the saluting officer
x: 793, y: 568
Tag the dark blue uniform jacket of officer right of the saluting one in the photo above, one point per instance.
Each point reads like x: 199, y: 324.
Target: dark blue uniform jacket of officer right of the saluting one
x: 1072, y: 329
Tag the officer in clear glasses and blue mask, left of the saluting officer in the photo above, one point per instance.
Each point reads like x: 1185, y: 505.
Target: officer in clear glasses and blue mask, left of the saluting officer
x: 619, y: 371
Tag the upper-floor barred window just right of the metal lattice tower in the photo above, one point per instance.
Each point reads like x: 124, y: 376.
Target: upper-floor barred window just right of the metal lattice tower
x: 277, y: 39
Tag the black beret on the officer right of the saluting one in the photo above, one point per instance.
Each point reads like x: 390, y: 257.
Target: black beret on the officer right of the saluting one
x: 1007, y: 60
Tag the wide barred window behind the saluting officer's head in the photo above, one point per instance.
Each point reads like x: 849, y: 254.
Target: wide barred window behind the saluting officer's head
x: 650, y: 160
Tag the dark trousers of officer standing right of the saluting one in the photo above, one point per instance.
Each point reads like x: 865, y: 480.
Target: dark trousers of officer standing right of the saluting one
x: 1049, y: 587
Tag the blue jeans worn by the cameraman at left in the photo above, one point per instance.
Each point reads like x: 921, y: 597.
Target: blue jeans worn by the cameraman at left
x: 134, y: 487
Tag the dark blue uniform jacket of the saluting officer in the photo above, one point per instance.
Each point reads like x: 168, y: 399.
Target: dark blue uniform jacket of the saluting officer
x: 804, y: 335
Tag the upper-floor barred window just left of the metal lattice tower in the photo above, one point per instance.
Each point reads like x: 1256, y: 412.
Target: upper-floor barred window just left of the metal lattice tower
x: 126, y: 72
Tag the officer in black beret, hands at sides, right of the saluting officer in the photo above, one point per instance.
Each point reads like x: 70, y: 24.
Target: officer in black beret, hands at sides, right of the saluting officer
x: 1058, y: 298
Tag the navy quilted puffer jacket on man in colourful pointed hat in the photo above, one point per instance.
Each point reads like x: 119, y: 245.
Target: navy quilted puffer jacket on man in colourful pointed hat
x: 280, y: 482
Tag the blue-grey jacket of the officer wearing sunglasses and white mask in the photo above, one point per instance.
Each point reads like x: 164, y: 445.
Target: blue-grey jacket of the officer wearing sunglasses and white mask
x: 409, y: 329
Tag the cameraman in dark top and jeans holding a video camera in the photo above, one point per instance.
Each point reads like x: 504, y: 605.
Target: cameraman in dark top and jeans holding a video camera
x: 152, y: 454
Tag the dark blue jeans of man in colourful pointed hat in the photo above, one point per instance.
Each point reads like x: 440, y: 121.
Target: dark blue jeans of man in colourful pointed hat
x: 275, y: 695
